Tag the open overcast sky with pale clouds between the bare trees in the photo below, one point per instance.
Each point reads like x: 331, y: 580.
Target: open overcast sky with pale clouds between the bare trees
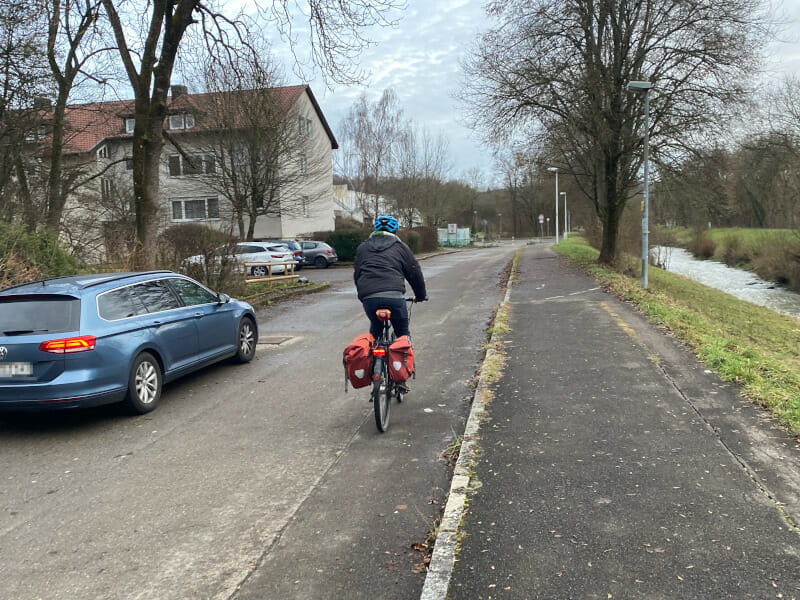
x: 419, y: 60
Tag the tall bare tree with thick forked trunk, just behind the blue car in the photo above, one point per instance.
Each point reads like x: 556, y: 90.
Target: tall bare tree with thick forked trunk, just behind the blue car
x: 335, y: 29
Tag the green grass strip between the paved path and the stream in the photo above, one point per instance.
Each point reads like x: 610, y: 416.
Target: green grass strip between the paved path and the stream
x: 744, y: 343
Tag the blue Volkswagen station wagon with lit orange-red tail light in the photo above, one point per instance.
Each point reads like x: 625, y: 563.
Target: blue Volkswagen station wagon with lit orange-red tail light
x: 86, y: 340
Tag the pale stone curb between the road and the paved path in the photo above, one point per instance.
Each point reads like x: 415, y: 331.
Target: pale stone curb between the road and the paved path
x: 440, y: 569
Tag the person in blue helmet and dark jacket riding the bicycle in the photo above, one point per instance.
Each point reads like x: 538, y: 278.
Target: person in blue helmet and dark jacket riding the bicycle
x: 383, y: 263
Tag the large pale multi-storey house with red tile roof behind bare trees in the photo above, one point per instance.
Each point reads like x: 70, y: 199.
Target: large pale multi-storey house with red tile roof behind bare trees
x: 100, y: 141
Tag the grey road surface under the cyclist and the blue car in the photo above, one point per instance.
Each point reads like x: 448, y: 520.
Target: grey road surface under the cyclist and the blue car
x: 257, y: 481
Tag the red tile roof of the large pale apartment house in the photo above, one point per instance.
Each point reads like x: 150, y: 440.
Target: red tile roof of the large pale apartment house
x: 89, y: 124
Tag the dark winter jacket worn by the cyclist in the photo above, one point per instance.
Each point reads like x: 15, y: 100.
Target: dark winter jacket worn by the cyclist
x: 382, y: 264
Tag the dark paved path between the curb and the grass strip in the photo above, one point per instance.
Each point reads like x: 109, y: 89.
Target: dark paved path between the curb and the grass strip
x: 611, y: 464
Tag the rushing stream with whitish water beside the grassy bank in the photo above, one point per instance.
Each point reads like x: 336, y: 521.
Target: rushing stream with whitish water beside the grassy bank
x: 742, y: 284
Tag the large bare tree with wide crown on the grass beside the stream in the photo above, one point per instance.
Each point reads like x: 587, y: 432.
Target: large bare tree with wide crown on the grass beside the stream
x: 559, y: 70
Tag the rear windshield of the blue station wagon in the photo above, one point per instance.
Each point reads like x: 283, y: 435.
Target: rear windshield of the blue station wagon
x: 20, y: 315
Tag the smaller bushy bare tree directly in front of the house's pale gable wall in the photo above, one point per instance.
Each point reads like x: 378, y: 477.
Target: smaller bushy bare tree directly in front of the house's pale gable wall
x: 264, y: 156
